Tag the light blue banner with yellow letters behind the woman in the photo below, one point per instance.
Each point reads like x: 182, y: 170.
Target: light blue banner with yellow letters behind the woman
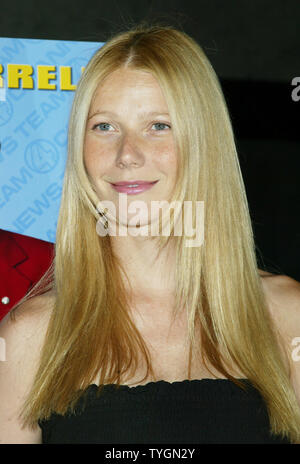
x: 37, y: 83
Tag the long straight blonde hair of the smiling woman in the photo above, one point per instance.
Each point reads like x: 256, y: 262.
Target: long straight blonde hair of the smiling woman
x: 218, y: 282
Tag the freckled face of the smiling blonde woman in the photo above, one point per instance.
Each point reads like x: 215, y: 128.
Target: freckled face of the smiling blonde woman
x: 129, y: 138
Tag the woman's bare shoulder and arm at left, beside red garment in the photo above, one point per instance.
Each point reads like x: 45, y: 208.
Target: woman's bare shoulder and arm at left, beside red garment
x: 23, y: 336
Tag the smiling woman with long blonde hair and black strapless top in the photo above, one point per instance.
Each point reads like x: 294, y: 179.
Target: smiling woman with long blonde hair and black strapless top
x: 197, y: 340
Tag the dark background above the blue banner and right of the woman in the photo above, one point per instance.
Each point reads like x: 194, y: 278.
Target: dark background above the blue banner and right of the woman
x: 254, y: 47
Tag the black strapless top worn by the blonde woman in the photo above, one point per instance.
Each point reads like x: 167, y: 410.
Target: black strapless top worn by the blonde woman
x: 189, y: 411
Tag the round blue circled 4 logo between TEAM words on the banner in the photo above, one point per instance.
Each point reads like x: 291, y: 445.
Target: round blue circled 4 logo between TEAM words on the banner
x: 41, y: 156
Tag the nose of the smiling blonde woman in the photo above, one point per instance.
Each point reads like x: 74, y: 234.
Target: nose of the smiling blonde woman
x: 129, y: 152
